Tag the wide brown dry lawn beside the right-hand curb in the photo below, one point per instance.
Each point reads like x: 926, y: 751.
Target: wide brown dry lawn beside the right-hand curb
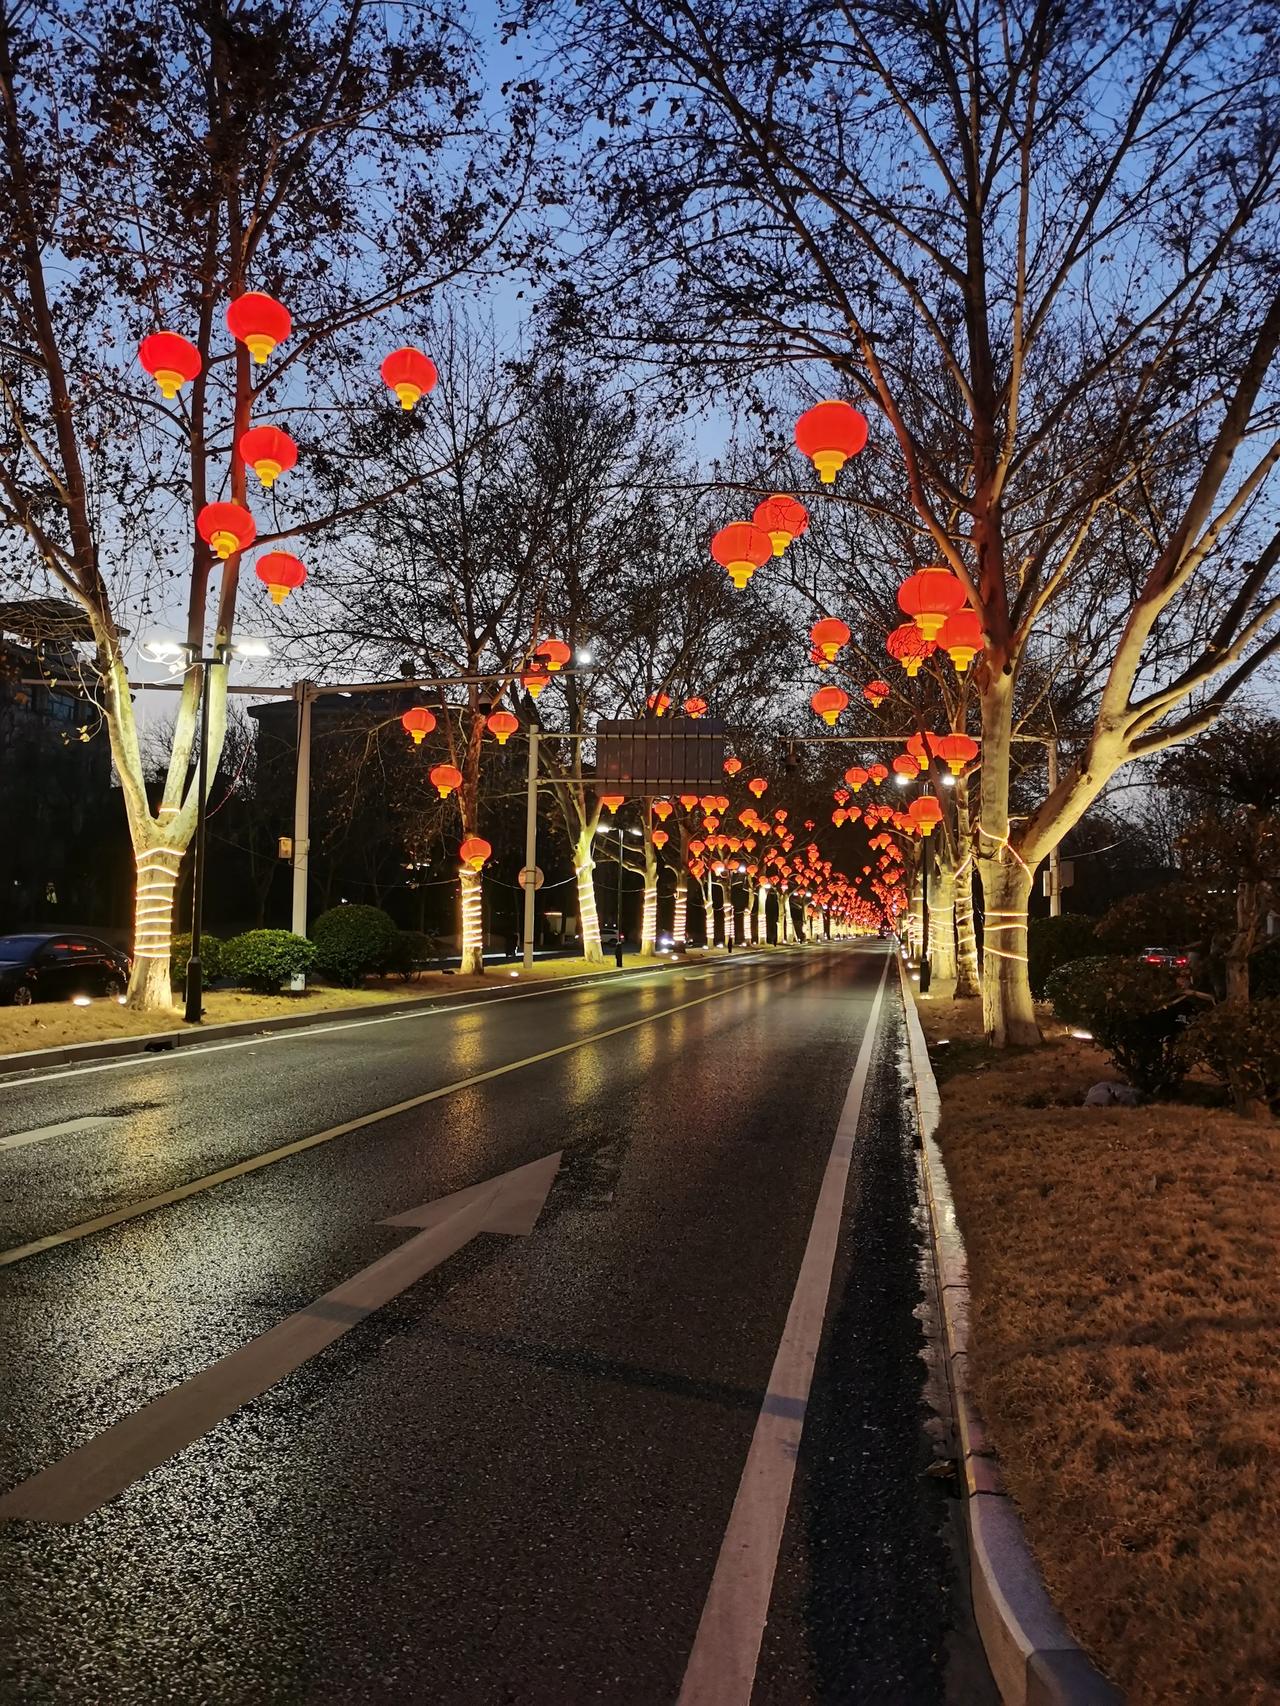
x: 1127, y: 1323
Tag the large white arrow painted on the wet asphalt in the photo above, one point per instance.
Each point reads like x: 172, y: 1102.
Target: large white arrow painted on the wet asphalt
x: 105, y: 1466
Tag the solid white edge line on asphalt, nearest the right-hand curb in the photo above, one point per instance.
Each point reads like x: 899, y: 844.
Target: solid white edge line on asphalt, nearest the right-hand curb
x: 726, y: 1651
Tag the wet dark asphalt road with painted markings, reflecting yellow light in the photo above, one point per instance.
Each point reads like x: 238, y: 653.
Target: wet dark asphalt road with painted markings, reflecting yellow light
x: 545, y: 1444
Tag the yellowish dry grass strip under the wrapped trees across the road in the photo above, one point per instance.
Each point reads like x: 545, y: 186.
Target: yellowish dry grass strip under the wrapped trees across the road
x: 55, y: 1024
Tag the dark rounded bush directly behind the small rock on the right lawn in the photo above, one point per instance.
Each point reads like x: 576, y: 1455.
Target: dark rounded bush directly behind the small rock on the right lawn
x: 1136, y: 1011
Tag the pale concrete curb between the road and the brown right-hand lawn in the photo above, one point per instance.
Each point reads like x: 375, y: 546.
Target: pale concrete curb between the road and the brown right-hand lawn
x: 1032, y: 1652
